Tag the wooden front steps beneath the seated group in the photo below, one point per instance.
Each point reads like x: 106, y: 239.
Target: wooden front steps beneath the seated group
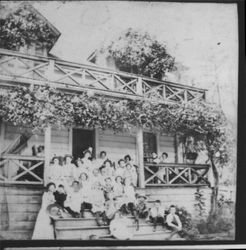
x: 85, y: 228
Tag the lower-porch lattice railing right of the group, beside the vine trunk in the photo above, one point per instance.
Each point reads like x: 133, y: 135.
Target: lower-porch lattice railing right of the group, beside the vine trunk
x: 175, y: 174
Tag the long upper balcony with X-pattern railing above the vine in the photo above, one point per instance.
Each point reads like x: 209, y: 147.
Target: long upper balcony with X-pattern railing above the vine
x: 18, y: 68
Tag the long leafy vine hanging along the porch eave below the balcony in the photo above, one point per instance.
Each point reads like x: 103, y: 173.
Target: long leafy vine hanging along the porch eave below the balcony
x: 40, y: 106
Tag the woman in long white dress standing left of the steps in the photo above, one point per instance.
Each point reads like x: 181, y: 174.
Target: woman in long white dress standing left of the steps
x: 43, y: 228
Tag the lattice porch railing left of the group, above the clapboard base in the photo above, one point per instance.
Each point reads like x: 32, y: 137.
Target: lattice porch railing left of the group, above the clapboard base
x: 21, y: 169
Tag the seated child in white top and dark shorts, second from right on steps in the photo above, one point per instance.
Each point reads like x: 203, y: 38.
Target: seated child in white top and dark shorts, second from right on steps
x: 157, y: 214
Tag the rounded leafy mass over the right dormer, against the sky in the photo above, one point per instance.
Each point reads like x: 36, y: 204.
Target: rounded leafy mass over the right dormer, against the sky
x: 140, y: 53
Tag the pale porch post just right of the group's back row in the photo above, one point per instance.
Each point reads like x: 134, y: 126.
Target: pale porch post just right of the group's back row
x: 140, y: 151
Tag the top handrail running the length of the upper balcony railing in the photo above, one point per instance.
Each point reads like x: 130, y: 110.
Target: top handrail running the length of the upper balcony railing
x: 98, y: 69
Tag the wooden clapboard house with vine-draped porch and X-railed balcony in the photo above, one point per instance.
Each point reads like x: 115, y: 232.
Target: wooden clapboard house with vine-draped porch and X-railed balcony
x: 20, y: 196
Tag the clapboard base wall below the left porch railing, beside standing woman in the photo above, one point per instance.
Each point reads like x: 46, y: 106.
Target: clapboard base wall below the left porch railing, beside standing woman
x: 19, y: 207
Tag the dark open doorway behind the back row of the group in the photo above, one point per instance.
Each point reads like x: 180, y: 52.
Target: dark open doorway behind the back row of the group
x: 82, y: 140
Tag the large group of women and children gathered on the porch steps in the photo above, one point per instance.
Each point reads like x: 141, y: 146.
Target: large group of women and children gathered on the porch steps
x: 100, y: 187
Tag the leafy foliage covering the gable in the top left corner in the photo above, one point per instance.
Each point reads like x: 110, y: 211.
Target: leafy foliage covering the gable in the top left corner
x: 23, y: 27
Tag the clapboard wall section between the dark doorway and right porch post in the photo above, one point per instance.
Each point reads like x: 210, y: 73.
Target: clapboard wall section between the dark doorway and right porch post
x: 118, y: 145
